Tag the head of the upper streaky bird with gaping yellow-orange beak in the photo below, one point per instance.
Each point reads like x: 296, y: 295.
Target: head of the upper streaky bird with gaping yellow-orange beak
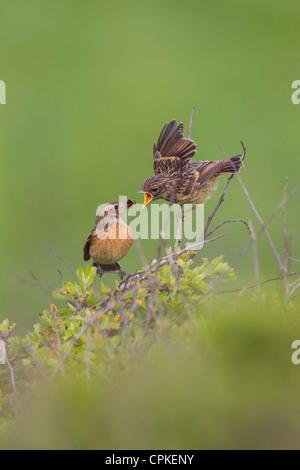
x: 158, y: 187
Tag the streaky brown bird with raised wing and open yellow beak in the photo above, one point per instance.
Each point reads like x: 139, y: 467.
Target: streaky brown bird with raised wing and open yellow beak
x: 178, y: 179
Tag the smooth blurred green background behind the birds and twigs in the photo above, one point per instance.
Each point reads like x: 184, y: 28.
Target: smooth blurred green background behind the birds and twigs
x: 89, y: 87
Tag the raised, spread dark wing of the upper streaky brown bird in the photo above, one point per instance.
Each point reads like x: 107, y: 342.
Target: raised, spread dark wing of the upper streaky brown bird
x: 173, y: 150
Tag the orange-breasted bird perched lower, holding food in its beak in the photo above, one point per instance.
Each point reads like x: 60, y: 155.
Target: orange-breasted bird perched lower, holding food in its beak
x: 111, y: 238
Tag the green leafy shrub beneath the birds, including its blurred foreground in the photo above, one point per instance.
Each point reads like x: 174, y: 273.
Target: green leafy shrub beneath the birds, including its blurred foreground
x: 159, y: 362
